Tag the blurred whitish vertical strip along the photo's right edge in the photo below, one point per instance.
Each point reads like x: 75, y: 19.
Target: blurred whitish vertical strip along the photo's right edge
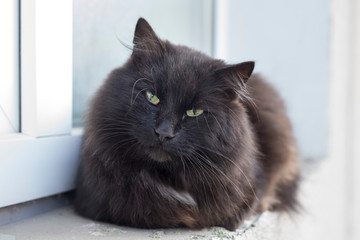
x: 344, y: 117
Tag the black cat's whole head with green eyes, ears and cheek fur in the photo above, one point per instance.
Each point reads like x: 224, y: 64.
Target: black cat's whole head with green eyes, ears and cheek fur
x: 171, y: 102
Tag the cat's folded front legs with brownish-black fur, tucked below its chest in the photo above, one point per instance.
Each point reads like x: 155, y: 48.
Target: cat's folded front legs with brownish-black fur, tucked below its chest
x: 180, y: 199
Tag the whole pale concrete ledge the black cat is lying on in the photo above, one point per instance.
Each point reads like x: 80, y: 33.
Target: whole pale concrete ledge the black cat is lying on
x: 319, y: 220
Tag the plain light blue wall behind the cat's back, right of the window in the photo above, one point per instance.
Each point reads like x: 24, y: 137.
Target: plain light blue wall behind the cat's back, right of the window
x: 289, y: 41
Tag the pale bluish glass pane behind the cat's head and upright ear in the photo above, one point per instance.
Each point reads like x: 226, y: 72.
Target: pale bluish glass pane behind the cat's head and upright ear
x: 99, y: 24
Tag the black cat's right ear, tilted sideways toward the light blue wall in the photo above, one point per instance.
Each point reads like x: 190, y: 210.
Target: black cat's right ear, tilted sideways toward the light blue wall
x: 240, y: 72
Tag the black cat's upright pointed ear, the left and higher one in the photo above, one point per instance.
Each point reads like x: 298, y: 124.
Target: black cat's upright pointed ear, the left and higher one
x: 145, y: 39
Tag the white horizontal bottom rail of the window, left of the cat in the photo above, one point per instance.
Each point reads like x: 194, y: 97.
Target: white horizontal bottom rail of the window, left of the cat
x: 36, y: 167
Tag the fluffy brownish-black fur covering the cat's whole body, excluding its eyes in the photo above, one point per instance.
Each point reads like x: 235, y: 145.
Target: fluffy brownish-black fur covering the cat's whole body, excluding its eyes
x: 150, y: 166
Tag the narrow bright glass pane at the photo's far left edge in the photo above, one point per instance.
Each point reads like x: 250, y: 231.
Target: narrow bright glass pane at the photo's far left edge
x: 9, y: 67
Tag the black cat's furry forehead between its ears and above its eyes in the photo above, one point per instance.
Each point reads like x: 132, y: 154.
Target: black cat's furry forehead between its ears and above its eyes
x: 181, y: 75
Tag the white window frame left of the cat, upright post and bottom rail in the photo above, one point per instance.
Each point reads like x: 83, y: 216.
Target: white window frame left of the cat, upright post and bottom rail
x: 42, y: 160
